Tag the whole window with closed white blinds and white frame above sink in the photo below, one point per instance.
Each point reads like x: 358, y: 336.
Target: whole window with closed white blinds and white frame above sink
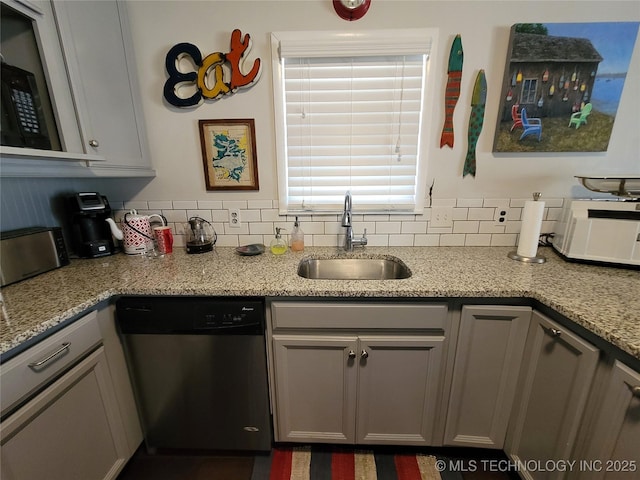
x: 349, y: 116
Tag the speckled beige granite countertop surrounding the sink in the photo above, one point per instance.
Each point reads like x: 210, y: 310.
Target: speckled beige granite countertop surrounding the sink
x: 605, y: 301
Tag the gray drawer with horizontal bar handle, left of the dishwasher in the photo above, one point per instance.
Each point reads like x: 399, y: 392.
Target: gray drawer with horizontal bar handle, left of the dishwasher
x: 28, y: 372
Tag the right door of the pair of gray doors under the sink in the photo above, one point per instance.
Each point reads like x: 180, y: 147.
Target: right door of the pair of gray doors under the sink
x: 398, y: 387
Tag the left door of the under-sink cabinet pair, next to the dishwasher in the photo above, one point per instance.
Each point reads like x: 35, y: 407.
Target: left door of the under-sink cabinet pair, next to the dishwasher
x: 315, y: 381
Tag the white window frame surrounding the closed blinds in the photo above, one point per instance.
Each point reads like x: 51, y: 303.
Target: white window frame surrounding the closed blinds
x: 344, y: 44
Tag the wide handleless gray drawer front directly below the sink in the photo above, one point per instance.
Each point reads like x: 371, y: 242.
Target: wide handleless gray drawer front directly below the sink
x: 337, y: 315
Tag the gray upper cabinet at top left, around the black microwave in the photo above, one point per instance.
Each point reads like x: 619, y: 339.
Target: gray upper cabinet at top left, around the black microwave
x: 87, y: 58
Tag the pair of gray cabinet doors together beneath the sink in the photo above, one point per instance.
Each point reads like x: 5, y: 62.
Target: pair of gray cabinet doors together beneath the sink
x: 365, y: 390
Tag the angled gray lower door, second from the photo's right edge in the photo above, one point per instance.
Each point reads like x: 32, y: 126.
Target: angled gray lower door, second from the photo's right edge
x: 553, y: 389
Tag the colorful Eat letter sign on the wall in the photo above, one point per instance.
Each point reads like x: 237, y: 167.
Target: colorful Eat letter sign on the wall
x: 210, y: 80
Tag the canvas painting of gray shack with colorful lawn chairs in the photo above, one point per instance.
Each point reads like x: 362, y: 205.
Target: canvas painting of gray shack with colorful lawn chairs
x: 562, y: 86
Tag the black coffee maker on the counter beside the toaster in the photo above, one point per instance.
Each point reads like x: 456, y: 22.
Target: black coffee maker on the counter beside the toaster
x: 90, y: 232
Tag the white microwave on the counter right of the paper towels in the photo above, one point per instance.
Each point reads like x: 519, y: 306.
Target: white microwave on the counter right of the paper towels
x: 596, y: 230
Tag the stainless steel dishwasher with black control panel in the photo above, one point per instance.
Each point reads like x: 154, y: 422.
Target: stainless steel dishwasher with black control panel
x: 199, y: 370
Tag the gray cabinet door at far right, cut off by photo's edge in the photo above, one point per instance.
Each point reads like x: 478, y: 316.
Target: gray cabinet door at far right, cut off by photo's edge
x: 614, y: 447
